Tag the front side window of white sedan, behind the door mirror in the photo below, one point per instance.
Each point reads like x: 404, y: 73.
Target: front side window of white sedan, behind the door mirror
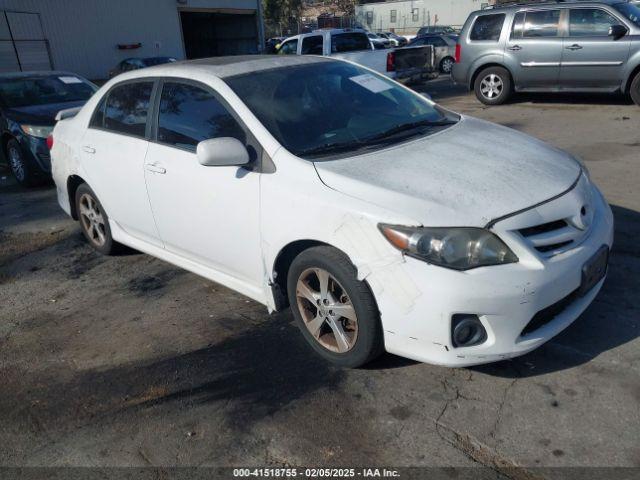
x: 189, y: 114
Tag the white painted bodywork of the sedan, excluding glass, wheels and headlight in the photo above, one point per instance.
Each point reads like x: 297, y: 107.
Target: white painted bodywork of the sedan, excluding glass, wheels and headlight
x: 229, y: 225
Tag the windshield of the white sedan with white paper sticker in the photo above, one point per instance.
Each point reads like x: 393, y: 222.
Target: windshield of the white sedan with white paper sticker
x: 328, y: 108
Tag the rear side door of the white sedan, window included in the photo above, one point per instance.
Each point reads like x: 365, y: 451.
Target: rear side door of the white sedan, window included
x: 113, y: 150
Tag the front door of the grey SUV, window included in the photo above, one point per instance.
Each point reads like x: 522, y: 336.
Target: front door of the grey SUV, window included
x: 590, y: 57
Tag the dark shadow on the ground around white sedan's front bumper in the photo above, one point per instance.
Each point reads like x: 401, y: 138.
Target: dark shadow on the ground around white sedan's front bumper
x: 610, y: 322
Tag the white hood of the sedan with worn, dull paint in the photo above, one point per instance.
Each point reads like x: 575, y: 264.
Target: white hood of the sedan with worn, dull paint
x: 466, y: 175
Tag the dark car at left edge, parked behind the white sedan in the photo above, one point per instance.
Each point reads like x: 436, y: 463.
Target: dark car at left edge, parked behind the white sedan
x: 29, y: 102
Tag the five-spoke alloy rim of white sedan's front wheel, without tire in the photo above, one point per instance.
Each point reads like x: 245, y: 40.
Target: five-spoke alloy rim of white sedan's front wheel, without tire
x: 327, y: 310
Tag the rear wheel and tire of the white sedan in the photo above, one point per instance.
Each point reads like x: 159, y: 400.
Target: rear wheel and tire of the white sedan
x: 94, y: 221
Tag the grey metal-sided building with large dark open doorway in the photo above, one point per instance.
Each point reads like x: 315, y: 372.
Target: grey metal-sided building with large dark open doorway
x: 91, y: 36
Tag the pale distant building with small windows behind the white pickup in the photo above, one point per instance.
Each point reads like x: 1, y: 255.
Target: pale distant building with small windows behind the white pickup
x: 407, y: 16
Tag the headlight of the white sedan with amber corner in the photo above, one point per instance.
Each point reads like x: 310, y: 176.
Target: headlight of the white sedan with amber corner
x: 459, y: 248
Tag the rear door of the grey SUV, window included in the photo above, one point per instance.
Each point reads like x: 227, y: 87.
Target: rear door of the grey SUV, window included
x: 534, y: 49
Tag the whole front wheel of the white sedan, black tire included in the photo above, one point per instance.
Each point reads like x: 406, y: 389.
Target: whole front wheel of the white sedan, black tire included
x: 347, y: 341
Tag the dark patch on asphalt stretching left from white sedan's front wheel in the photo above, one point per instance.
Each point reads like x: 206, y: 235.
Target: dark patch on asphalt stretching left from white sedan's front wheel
x: 253, y: 374
